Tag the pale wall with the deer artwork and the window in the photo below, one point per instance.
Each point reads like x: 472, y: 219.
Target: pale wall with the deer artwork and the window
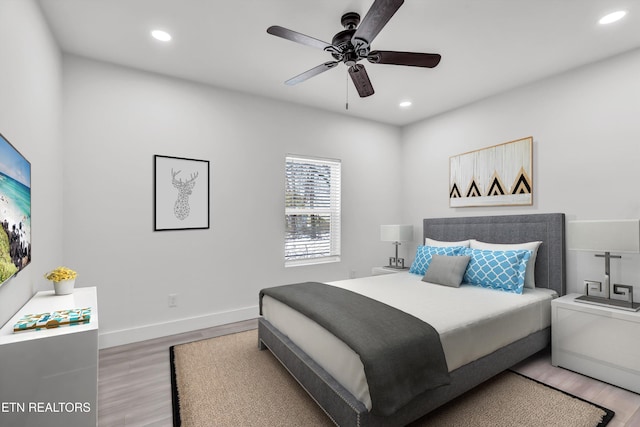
x: 116, y: 119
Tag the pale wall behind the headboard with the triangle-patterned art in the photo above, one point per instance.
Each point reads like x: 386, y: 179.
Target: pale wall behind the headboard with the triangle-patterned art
x: 586, y: 136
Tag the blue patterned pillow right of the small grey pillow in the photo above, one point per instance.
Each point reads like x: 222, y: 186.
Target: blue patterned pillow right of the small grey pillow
x: 501, y: 270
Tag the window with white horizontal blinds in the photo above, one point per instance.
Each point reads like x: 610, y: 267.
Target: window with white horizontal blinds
x: 312, y: 211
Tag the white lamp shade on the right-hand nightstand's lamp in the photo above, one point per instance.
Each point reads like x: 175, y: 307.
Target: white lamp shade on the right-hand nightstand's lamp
x: 604, y: 236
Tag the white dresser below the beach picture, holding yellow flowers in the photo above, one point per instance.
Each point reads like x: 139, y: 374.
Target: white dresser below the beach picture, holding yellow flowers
x: 50, y: 377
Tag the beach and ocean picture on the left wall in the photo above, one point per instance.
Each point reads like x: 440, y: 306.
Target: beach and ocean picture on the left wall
x: 15, y: 211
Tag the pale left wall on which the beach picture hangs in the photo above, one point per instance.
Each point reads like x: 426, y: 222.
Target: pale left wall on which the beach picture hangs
x: 30, y: 85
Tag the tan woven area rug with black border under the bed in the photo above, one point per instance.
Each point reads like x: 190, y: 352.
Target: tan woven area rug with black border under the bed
x: 227, y: 381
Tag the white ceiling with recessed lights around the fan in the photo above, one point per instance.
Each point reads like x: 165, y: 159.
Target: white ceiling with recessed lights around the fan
x: 487, y: 46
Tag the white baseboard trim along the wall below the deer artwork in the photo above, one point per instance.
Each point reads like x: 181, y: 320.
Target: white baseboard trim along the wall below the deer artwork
x: 179, y: 326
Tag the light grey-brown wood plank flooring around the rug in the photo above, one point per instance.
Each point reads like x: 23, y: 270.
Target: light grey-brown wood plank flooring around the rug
x: 134, y: 387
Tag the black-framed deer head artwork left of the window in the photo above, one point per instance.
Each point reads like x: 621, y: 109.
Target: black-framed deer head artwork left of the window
x: 181, y: 193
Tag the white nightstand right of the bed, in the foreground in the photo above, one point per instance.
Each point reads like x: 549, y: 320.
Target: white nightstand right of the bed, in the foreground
x: 600, y: 342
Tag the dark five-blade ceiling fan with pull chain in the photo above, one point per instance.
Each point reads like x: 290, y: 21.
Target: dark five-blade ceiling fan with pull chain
x: 354, y: 44
